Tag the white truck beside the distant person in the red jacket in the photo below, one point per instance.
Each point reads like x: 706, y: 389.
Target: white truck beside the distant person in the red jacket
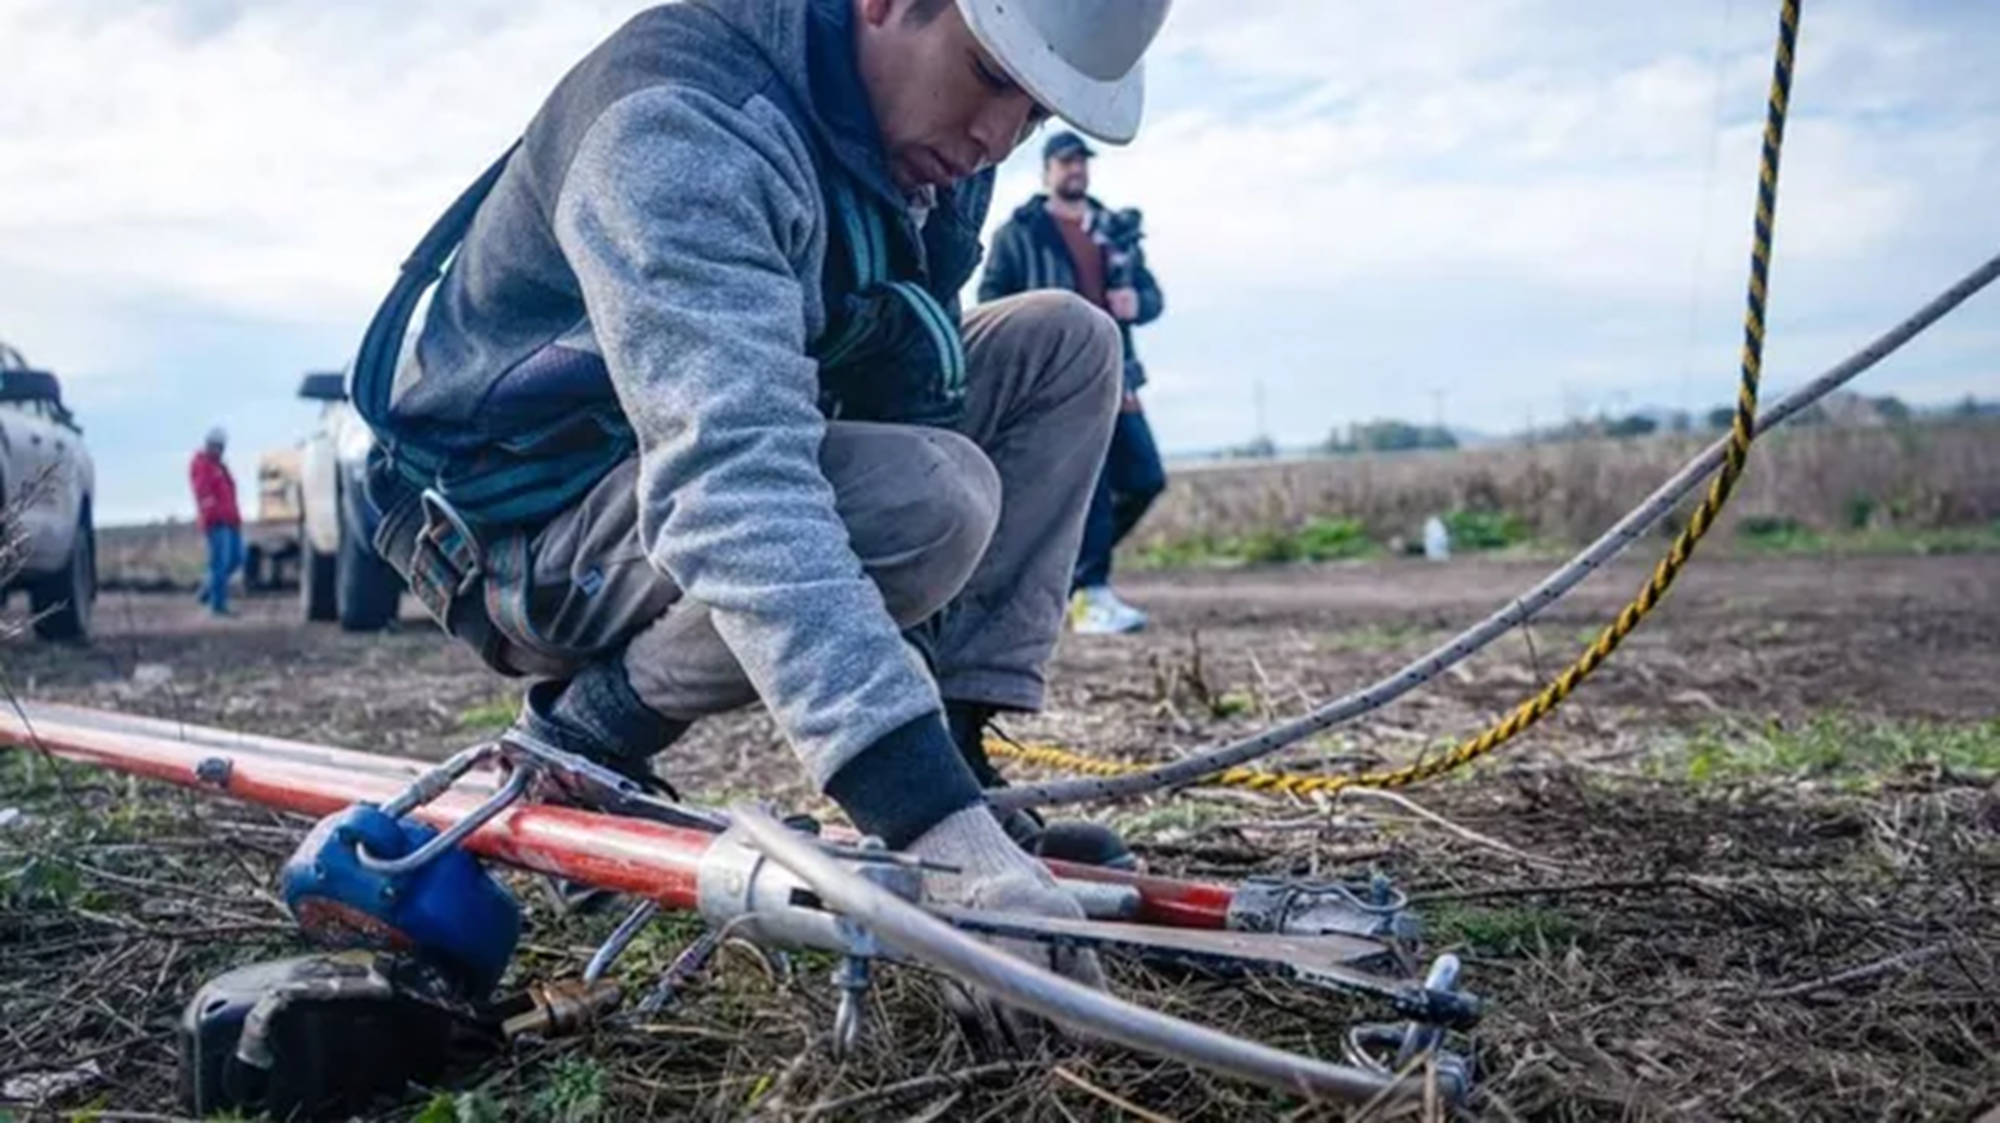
x: 341, y: 576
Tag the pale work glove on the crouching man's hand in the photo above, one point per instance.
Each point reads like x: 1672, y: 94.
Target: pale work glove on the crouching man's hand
x: 997, y: 876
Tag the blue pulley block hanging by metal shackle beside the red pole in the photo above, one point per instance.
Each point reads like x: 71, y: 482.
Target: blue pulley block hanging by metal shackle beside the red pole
x: 449, y: 912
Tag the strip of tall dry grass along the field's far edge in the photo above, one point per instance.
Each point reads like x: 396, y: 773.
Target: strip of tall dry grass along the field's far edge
x: 1823, y: 479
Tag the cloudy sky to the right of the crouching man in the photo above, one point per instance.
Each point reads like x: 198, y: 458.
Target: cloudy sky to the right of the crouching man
x: 1563, y: 195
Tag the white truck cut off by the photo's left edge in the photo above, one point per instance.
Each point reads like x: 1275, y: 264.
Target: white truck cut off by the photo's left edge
x: 47, y: 483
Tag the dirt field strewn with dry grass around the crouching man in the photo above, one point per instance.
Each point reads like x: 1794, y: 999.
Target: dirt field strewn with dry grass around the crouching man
x: 1753, y: 872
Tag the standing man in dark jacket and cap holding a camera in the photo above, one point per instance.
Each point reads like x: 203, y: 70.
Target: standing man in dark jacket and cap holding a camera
x: 1065, y: 239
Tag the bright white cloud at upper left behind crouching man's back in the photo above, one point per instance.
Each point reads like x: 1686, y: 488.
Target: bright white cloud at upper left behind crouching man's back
x: 277, y: 163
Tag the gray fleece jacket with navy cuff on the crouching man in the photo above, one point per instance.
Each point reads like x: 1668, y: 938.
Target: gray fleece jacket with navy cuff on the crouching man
x: 659, y: 265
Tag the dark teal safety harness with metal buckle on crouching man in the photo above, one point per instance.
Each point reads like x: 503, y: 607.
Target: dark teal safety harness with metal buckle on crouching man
x: 461, y: 511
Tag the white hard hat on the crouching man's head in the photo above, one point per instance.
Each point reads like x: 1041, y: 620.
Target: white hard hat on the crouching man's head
x: 1081, y: 59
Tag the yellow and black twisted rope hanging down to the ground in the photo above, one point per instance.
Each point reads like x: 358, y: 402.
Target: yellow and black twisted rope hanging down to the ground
x: 1737, y: 457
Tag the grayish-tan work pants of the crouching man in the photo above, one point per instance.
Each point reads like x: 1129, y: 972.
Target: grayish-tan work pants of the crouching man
x: 981, y: 525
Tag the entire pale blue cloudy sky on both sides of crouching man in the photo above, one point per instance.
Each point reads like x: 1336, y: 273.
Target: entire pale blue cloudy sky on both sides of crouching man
x: 1505, y: 209
